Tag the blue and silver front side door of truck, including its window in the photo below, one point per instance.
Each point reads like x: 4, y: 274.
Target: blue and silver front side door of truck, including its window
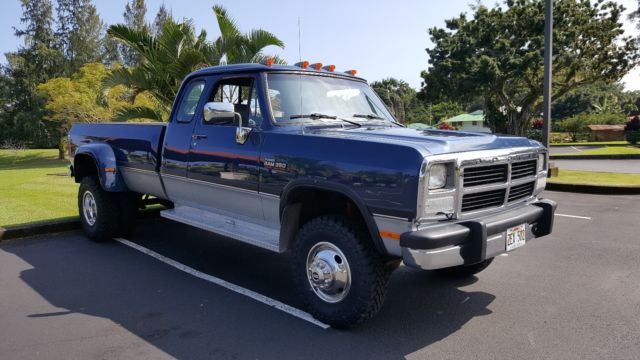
x: 225, y: 174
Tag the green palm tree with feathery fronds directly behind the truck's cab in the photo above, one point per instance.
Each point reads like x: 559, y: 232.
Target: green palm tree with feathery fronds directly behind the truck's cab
x: 175, y: 52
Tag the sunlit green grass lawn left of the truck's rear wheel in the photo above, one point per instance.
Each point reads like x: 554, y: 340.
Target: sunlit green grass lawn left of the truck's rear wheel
x: 34, y: 187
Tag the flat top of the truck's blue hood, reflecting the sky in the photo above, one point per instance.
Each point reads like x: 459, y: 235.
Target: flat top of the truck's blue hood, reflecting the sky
x: 430, y: 142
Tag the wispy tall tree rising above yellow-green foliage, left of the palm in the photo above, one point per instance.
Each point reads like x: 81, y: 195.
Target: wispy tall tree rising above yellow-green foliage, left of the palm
x: 80, y: 33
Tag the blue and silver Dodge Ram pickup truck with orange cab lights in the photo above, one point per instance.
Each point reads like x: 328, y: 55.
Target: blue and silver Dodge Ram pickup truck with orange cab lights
x: 309, y: 161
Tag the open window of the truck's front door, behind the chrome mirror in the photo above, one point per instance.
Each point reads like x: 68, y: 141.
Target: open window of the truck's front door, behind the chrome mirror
x: 241, y: 92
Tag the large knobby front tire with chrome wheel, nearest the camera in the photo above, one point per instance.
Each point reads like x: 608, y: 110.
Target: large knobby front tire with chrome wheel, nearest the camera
x: 342, y: 279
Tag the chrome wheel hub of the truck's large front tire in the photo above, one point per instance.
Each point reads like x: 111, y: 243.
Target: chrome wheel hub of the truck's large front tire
x: 328, y: 272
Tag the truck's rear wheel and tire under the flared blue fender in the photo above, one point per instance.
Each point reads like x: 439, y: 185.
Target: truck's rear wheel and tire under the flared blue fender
x: 98, y: 210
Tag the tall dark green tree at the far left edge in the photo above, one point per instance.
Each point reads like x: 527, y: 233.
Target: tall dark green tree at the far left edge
x: 33, y: 63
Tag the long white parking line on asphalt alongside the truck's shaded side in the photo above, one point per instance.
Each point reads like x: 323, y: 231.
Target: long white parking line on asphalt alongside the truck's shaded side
x: 238, y: 289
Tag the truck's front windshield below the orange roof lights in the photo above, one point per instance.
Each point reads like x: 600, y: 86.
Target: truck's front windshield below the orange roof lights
x: 299, y: 98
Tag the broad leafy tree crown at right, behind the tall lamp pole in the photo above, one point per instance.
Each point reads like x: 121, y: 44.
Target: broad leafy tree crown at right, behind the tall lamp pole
x: 498, y: 54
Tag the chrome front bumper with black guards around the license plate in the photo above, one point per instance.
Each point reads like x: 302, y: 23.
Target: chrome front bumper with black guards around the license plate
x: 470, y: 242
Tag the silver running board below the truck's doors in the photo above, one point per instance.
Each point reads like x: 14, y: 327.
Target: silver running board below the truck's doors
x: 250, y: 233
